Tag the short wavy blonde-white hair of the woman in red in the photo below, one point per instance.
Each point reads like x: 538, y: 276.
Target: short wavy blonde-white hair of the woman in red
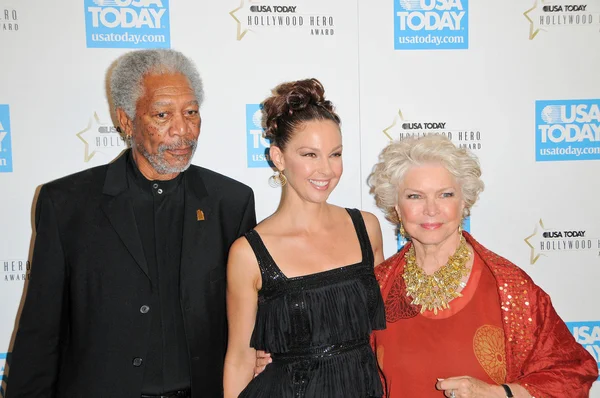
x: 399, y: 156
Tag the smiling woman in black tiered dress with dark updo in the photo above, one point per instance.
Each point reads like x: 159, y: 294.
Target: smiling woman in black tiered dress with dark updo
x: 301, y: 284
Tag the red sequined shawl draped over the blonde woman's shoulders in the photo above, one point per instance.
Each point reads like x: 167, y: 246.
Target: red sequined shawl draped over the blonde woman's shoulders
x: 541, y: 353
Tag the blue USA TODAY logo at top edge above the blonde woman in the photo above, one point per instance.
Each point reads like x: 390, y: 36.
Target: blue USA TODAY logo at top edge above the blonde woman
x: 431, y: 24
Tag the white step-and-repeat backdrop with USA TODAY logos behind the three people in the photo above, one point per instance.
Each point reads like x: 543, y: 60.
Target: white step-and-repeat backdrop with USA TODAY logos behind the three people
x: 516, y: 82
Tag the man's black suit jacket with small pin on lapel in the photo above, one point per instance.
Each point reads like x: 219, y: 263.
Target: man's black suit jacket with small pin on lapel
x: 83, y: 331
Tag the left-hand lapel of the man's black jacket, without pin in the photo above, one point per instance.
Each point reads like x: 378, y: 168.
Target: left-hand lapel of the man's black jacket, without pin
x: 119, y: 210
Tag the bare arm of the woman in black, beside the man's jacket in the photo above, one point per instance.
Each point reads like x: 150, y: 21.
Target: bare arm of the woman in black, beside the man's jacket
x: 243, y: 279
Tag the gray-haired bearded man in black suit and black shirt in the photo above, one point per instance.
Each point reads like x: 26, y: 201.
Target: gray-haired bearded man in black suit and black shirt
x: 127, y: 289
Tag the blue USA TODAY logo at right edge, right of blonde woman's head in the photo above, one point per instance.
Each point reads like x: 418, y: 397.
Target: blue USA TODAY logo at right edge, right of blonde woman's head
x: 567, y: 130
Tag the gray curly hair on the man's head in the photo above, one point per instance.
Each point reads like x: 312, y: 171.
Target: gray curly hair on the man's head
x: 126, y: 78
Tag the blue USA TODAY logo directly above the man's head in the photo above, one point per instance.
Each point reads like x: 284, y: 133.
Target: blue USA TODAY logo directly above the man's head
x: 127, y: 23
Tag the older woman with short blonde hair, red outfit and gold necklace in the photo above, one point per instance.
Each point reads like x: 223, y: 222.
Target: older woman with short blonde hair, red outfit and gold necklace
x: 461, y: 319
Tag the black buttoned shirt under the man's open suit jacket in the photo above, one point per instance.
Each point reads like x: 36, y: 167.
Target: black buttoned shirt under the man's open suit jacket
x: 158, y: 208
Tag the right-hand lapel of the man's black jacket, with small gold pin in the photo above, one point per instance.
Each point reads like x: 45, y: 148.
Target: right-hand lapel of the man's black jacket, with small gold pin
x: 197, y: 217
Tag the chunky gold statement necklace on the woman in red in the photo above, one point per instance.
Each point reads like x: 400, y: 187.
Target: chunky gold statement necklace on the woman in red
x: 434, y: 292
